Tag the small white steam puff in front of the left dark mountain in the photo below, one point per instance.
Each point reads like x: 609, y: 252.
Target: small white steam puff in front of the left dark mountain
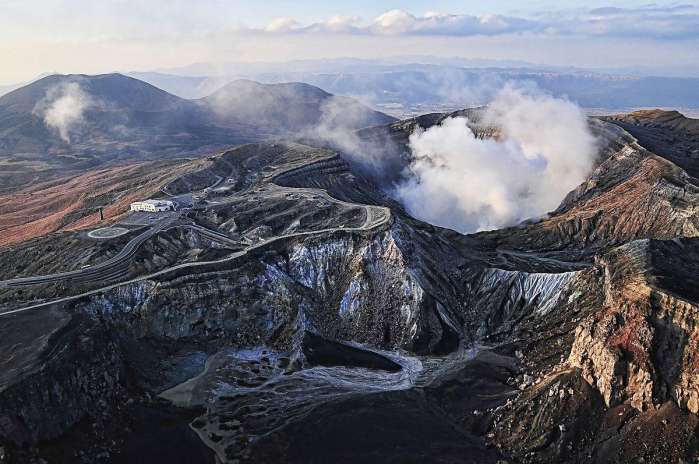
x: 63, y: 108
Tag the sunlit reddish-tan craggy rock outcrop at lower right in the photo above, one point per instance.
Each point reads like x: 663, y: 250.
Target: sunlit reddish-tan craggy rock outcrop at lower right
x: 640, y: 347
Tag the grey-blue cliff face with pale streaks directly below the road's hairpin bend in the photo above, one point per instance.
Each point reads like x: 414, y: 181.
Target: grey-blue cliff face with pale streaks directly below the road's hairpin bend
x: 349, y: 288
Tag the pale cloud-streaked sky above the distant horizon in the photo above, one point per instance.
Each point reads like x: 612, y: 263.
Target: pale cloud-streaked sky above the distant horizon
x: 87, y: 36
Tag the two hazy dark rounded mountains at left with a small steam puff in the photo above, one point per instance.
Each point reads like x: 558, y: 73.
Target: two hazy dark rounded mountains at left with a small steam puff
x: 71, y: 122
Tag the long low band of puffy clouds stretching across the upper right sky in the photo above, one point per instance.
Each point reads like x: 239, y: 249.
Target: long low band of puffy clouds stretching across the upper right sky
x: 674, y: 22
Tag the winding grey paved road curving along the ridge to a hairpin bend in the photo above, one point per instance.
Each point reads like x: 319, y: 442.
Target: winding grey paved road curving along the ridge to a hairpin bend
x: 375, y: 216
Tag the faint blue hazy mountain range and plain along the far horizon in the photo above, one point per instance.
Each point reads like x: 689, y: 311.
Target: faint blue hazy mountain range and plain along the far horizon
x: 404, y: 88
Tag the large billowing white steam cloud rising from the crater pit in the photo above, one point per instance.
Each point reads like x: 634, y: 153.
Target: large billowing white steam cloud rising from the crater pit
x: 468, y: 183
